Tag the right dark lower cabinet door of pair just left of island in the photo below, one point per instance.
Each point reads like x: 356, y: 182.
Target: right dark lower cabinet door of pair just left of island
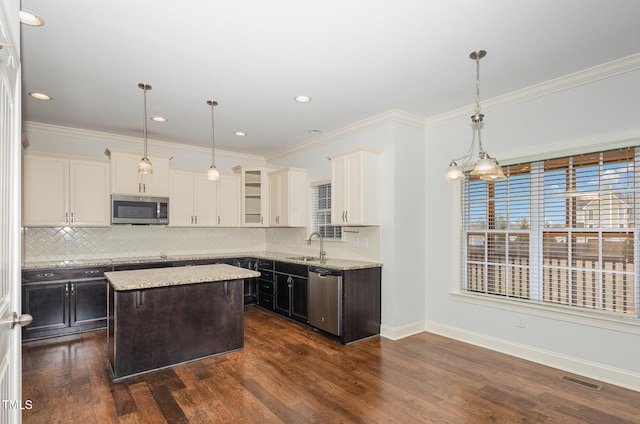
x: 88, y: 303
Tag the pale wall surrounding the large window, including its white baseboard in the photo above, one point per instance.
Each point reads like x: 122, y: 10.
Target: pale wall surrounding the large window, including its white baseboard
x: 601, y: 111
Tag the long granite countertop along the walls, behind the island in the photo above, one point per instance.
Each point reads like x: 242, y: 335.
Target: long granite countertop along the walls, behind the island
x: 331, y: 263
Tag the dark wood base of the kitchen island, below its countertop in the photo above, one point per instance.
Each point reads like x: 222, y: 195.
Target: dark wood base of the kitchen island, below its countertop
x: 159, y: 327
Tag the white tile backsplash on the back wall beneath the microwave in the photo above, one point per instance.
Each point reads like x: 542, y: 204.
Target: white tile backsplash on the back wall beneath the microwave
x: 76, y: 244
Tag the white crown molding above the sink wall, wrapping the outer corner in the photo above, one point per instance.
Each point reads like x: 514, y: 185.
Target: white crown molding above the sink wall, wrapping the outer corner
x: 393, y: 115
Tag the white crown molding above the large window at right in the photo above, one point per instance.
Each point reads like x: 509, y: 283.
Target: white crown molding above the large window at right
x: 603, y: 71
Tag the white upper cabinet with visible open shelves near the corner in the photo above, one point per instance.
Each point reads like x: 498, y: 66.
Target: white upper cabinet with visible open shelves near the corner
x: 254, y: 196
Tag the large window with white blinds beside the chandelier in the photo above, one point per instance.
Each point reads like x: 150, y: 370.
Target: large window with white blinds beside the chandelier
x: 559, y: 231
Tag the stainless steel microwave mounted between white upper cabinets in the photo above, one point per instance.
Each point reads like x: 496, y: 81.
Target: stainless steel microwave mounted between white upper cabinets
x: 139, y: 209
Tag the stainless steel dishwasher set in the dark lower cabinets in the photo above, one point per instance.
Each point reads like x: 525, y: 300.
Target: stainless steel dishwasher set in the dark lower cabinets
x: 325, y: 306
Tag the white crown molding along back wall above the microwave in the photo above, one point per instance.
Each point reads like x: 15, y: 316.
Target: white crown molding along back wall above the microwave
x: 103, y: 137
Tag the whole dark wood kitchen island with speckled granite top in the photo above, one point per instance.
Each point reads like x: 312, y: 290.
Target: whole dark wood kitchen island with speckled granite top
x: 166, y: 316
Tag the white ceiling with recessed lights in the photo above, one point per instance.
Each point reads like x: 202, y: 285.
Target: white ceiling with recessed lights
x: 355, y: 59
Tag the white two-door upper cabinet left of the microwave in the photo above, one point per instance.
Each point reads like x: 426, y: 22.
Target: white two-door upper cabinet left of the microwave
x: 62, y: 191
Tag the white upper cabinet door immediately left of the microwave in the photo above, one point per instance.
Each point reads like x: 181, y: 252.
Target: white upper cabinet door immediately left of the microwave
x: 89, y: 193
